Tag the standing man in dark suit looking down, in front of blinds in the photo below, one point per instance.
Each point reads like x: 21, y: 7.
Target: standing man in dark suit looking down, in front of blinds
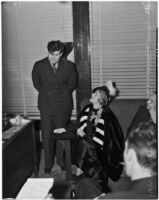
x: 54, y: 78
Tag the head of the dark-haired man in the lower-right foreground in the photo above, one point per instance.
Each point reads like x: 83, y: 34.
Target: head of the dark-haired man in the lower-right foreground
x: 140, y: 154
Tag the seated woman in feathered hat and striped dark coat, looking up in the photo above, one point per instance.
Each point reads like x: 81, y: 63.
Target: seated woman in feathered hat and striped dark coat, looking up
x: 100, y: 145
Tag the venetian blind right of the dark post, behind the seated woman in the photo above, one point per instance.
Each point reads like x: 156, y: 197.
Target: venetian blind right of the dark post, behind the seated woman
x: 123, y: 46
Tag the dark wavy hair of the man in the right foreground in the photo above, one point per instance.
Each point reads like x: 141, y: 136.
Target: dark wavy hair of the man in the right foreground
x: 143, y: 140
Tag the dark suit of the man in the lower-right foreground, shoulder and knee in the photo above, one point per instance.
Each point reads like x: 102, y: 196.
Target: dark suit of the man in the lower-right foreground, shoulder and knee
x: 145, y: 188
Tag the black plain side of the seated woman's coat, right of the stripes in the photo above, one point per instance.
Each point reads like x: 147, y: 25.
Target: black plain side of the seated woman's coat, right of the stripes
x: 116, y: 147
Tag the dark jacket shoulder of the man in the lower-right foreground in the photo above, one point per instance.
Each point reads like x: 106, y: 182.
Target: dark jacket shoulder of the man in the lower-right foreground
x: 145, y: 188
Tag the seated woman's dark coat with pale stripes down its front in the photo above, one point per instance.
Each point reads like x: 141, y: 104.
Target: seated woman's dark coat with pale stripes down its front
x: 110, y: 153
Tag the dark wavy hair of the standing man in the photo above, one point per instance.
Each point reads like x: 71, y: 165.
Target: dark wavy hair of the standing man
x: 55, y: 46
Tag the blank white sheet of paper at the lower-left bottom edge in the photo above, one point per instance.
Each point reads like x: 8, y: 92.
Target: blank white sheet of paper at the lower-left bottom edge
x: 35, y: 188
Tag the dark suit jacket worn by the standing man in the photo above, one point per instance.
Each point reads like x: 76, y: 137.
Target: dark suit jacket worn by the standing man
x: 55, y: 90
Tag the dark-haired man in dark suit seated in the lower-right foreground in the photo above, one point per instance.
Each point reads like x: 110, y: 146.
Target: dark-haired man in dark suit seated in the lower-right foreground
x: 140, y: 159
